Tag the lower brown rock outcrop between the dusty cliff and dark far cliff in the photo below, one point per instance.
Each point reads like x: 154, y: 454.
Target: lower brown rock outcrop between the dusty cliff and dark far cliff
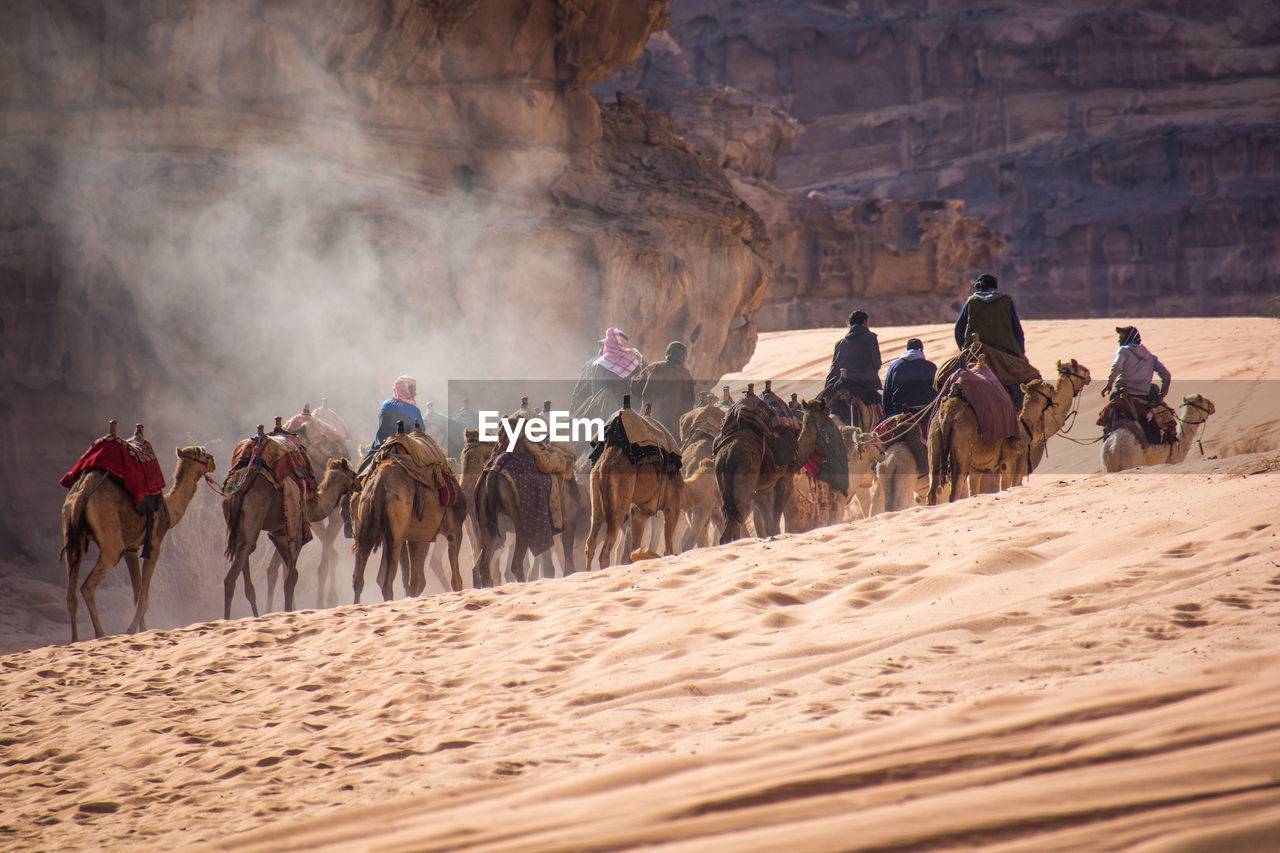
x: 904, y: 262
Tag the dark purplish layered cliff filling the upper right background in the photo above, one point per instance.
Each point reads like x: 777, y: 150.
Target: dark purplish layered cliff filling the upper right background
x: 1127, y: 154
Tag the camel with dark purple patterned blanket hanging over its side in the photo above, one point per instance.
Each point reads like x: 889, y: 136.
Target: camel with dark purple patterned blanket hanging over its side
x: 497, y: 498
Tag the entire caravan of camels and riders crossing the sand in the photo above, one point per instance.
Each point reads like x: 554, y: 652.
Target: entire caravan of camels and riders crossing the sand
x: 712, y: 468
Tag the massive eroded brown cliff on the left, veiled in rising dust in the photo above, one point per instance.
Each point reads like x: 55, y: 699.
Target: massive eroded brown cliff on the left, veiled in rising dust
x: 216, y: 212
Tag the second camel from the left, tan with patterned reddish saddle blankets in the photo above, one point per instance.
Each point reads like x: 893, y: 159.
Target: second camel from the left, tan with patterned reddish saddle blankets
x: 258, y: 505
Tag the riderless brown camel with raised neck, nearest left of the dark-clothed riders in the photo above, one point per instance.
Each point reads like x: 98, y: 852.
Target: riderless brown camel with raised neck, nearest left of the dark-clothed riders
x: 746, y: 469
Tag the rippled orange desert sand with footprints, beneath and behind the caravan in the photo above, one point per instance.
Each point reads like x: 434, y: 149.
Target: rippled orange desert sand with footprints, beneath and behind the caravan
x: 1086, y: 663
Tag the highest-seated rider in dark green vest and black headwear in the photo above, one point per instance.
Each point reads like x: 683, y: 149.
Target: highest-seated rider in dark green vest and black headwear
x: 990, y: 317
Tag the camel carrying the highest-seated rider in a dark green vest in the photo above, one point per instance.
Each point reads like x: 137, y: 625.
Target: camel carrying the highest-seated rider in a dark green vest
x: 958, y: 453
